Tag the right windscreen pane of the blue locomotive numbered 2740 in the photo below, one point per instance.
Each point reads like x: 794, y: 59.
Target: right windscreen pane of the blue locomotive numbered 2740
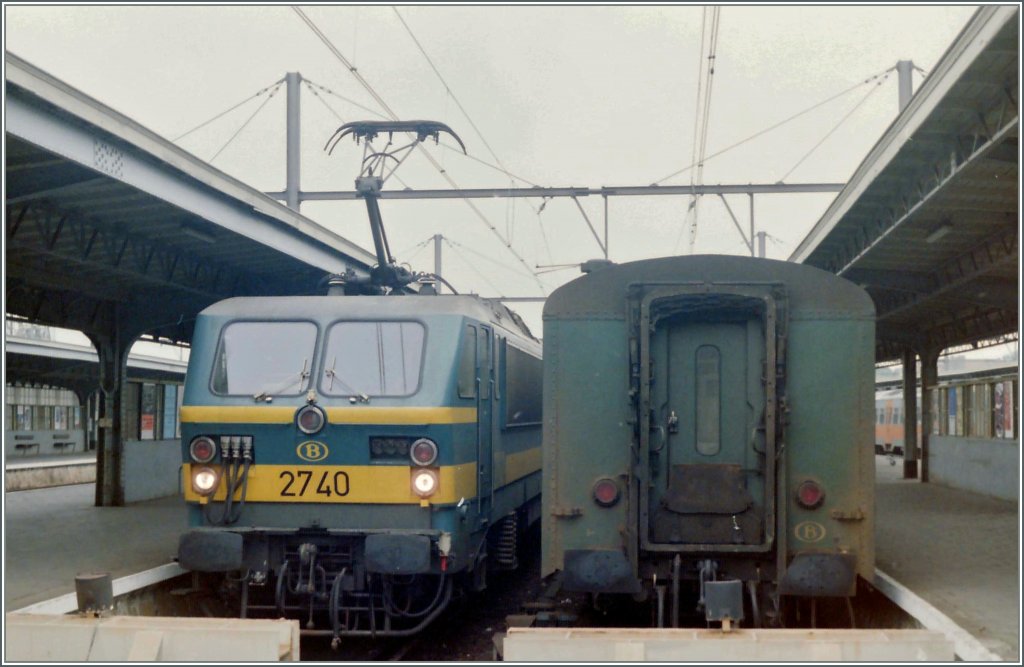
x: 373, y: 359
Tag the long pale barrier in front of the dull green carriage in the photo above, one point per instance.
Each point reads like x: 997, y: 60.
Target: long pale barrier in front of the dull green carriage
x: 648, y: 645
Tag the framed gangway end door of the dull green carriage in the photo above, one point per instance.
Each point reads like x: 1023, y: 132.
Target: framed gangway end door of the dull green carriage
x: 707, y: 418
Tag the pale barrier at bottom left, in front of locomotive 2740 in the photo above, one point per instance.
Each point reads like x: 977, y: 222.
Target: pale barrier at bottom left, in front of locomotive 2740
x: 134, y: 639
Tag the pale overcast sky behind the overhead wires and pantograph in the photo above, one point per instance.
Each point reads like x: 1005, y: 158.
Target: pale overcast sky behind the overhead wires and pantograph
x: 564, y: 96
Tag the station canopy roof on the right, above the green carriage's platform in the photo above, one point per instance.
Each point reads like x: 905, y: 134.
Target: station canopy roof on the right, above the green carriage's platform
x: 930, y: 222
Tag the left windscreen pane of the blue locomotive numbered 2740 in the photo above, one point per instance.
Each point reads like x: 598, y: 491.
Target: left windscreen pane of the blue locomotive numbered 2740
x: 271, y: 358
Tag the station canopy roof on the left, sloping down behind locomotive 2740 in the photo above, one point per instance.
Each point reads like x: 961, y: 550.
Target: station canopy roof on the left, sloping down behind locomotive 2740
x: 107, y: 222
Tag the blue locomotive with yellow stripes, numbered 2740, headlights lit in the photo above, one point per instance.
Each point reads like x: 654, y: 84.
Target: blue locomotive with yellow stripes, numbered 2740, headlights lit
x: 351, y: 460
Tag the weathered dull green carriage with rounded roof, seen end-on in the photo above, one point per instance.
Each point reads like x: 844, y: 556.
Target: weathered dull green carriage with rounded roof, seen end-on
x: 707, y: 423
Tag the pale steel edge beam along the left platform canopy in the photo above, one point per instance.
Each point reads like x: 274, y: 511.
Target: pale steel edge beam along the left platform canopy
x: 108, y: 143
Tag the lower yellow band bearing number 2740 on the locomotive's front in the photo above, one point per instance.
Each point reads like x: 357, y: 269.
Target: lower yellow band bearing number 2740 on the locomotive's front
x: 359, y: 484
